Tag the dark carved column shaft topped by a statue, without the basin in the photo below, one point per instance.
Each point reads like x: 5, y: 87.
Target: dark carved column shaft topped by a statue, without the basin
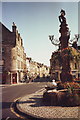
x: 64, y: 40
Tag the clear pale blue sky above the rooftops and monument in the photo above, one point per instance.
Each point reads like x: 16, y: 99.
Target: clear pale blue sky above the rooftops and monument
x: 35, y: 21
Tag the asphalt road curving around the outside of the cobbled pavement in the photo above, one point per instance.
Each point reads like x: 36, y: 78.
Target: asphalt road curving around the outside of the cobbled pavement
x: 11, y: 93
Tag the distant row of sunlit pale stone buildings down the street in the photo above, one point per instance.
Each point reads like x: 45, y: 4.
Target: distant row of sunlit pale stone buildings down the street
x: 35, y: 69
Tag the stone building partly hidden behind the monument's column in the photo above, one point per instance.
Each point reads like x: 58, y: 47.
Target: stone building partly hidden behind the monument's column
x: 56, y: 64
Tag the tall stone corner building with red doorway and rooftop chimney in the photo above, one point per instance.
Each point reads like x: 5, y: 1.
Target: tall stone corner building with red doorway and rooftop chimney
x: 13, y: 56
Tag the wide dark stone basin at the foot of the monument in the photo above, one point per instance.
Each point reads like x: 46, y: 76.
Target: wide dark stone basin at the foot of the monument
x: 61, y: 98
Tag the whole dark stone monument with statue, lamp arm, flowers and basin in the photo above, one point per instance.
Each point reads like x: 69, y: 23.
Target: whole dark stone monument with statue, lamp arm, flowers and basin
x: 67, y: 91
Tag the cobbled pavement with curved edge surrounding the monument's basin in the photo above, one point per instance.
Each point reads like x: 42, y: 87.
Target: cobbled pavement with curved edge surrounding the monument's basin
x: 32, y: 106
